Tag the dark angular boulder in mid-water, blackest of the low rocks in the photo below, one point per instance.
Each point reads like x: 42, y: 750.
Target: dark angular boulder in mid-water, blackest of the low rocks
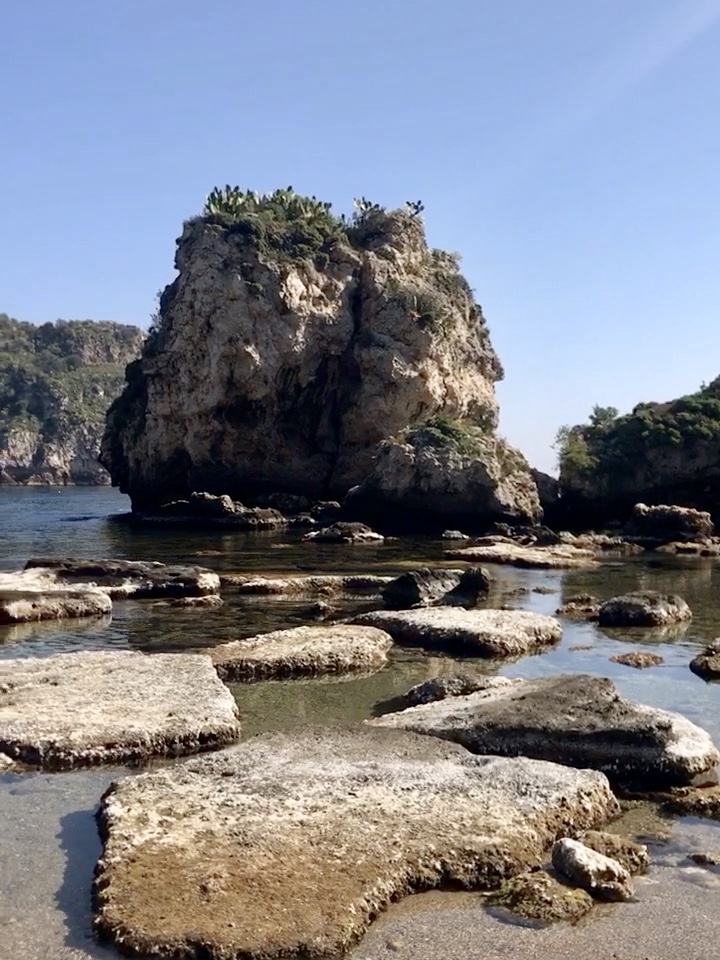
x: 441, y: 585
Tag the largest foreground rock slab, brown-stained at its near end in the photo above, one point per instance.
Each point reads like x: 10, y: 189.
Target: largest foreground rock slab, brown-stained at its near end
x: 289, y: 845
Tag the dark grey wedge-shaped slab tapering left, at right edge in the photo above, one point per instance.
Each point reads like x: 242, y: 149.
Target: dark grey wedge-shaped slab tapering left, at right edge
x: 579, y: 720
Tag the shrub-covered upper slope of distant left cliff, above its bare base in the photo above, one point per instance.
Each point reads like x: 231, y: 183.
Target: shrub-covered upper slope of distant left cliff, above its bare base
x: 58, y: 376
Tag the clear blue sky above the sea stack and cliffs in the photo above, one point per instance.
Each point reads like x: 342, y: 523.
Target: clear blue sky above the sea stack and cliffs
x: 569, y: 149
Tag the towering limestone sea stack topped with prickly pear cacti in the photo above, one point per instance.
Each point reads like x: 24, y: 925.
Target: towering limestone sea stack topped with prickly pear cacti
x: 290, y: 345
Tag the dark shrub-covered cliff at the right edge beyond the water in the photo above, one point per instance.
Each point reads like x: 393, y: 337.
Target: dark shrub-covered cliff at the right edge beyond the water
x: 659, y: 453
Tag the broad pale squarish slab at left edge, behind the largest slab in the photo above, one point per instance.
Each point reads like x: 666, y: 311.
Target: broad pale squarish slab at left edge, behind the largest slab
x: 80, y: 709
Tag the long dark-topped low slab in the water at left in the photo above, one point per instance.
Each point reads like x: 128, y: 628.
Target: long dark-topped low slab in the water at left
x: 129, y: 578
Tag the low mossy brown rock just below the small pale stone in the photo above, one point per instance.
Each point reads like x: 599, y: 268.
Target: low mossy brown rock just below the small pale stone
x: 538, y: 895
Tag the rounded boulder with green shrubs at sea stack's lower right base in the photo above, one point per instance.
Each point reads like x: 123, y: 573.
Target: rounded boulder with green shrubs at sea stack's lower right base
x: 426, y: 476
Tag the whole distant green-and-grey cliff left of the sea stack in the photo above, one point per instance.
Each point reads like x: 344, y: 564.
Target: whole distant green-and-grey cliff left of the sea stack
x: 56, y: 383
